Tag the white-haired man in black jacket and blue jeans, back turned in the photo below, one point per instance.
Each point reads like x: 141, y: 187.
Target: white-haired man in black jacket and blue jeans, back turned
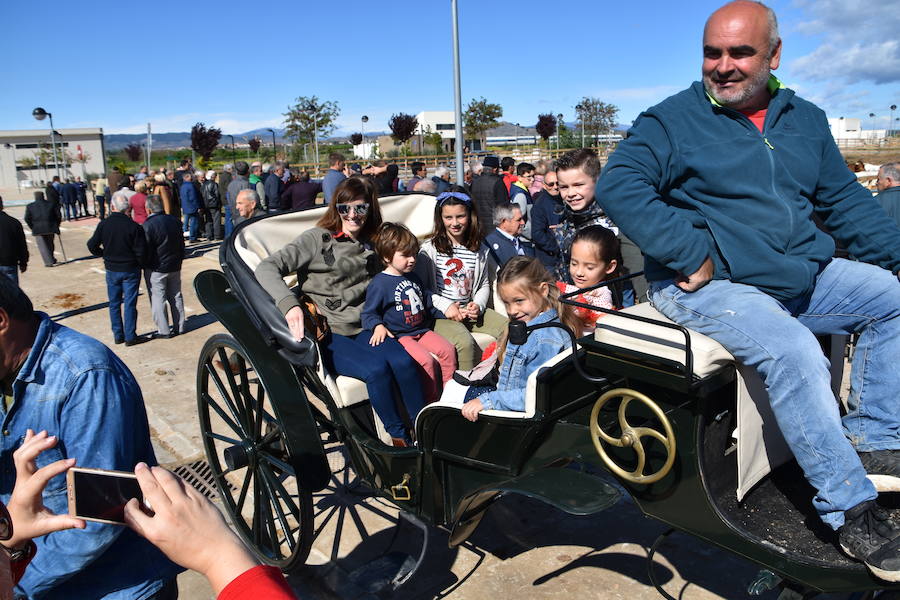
x: 121, y: 243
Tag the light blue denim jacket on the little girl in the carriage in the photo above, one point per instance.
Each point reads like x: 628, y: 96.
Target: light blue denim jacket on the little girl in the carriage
x: 520, y: 361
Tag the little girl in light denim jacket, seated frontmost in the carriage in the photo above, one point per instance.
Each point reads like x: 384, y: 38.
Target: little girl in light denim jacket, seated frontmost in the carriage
x: 530, y: 295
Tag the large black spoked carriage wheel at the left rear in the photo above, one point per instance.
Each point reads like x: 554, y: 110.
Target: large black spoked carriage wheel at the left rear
x: 249, y: 456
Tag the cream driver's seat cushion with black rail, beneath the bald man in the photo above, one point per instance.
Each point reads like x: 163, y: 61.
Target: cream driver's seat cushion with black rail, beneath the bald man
x: 663, y: 342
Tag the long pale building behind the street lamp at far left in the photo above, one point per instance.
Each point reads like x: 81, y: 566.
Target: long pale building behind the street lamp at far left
x: 26, y: 156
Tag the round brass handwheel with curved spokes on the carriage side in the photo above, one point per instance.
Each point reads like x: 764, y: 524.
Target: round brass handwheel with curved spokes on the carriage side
x: 631, y: 436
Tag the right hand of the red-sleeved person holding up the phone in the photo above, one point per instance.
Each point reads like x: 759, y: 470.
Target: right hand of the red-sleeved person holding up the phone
x: 187, y: 527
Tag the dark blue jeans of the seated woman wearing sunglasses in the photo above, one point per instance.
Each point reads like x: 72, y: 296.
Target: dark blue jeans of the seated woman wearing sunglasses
x: 379, y: 366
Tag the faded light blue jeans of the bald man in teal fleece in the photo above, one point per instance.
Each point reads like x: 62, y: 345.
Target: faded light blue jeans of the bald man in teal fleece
x: 778, y: 340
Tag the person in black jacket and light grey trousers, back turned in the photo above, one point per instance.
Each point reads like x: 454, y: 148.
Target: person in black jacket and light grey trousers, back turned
x: 165, y: 253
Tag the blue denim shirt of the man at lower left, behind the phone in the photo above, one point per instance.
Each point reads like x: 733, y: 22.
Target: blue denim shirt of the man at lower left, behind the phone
x: 77, y: 389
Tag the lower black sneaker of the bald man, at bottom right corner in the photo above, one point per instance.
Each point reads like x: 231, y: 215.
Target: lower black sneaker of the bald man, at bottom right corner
x: 869, y: 535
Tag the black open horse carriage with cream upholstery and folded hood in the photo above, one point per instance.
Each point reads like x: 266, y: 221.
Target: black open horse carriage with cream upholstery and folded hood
x: 661, y: 410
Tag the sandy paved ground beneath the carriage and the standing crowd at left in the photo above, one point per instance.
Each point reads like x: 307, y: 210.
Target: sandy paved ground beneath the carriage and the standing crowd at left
x: 522, y: 549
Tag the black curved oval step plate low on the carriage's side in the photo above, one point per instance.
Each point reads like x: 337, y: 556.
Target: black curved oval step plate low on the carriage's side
x: 571, y: 491
